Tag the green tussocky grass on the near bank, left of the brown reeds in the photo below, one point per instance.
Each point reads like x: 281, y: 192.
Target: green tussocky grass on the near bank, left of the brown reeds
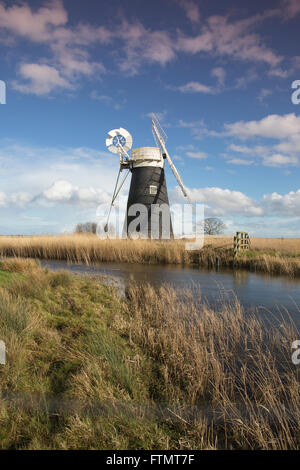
x: 71, y: 380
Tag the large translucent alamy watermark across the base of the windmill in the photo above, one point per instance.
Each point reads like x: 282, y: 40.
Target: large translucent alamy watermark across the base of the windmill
x: 160, y: 221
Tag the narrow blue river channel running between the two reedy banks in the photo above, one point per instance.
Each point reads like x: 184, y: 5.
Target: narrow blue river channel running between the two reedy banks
x: 268, y: 295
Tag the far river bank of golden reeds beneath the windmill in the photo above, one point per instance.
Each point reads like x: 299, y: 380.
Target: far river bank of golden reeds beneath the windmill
x: 273, y: 256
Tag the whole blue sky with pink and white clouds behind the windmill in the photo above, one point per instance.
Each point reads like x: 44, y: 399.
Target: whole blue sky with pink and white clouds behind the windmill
x: 218, y: 74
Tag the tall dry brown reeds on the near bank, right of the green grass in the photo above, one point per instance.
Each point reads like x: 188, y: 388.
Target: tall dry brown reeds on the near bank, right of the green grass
x: 228, y: 377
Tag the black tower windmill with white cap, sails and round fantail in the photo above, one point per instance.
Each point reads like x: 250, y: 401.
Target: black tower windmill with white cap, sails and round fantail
x: 148, y: 195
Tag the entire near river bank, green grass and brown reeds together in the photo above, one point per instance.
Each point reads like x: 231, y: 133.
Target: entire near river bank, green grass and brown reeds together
x: 88, y: 369
